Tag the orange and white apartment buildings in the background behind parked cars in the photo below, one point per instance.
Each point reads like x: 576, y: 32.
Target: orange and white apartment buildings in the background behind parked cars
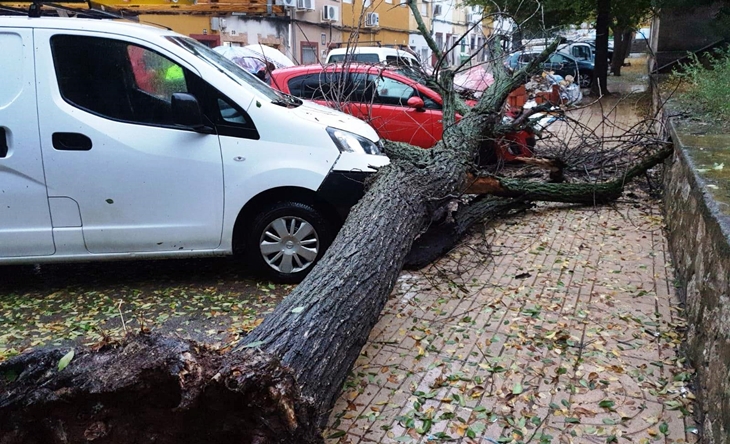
x: 305, y: 30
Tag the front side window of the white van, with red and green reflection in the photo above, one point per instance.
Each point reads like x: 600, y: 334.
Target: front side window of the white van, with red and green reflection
x: 116, y: 79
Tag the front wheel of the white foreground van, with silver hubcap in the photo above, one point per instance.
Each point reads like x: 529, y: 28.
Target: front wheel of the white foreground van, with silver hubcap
x: 287, y: 239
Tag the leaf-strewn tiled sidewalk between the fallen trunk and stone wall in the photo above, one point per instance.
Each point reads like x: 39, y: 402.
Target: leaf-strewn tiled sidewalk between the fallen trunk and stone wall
x: 556, y: 326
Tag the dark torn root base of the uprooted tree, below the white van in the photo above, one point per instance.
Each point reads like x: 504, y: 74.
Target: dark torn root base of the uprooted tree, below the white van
x: 153, y: 389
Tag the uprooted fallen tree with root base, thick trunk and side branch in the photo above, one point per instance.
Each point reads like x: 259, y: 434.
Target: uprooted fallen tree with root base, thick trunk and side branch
x: 280, y: 382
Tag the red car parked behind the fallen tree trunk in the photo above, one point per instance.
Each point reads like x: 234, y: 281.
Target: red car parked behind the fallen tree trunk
x: 398, y: 107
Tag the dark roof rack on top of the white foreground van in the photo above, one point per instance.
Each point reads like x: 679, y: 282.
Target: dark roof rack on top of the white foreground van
x: 85, y: 9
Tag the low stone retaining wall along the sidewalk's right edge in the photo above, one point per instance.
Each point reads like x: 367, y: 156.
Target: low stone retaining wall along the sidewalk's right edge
x: 699, y: 233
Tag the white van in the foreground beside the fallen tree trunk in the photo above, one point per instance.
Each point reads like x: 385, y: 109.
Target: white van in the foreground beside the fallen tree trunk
x: 123, y: 141
